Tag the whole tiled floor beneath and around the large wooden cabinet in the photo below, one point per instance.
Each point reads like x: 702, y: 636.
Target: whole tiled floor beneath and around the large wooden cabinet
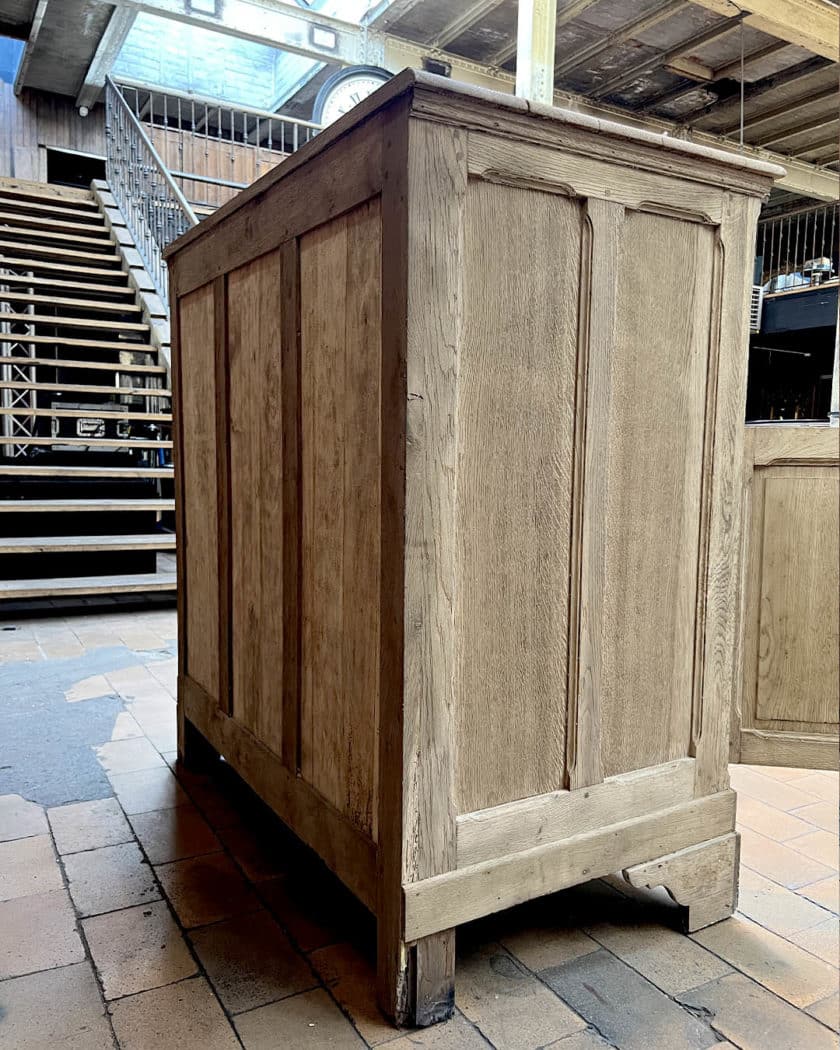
x: 152, y: 910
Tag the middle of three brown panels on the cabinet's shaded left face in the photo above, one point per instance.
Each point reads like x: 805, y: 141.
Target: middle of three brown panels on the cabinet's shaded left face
x: 255, y: 330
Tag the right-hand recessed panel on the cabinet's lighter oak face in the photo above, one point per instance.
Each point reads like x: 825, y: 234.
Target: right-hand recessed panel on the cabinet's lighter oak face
x: 661, y: 364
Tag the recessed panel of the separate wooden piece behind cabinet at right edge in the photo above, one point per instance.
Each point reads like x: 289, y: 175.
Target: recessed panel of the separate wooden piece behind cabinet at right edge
x: 800, y: 629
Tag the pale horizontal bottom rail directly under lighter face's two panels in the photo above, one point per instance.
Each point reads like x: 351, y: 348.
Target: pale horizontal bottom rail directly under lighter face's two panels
x: 538, y: 822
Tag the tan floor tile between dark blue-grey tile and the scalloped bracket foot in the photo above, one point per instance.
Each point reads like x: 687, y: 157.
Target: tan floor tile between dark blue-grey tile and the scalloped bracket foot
x: 667, y: 959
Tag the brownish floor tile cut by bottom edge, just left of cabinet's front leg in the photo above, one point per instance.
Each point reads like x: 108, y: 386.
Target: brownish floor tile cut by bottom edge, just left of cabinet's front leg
x: 307, y: 1022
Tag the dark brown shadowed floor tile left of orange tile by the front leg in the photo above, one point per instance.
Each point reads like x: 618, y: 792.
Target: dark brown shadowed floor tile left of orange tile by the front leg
x: 250, y: 962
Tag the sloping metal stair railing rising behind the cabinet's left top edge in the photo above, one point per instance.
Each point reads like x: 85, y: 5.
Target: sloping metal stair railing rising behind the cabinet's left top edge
x: 154, y: 207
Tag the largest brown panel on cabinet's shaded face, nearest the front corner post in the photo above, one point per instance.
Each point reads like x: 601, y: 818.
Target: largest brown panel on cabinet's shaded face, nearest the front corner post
x: 341, y: 341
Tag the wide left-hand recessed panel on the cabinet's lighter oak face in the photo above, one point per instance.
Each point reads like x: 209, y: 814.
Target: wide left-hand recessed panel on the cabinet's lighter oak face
x: 516, y: 416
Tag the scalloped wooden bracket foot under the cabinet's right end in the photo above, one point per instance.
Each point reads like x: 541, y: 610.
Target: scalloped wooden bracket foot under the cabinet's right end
x: 702, y: 878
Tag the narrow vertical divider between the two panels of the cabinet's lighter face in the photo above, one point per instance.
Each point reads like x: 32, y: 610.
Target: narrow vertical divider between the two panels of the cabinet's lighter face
x: 600, y: 243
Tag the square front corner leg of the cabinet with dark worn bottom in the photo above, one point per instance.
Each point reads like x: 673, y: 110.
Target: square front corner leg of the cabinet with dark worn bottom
x: 419, y: 991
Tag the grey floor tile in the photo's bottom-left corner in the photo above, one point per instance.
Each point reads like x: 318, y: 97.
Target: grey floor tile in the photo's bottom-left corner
x: 58, y: 1010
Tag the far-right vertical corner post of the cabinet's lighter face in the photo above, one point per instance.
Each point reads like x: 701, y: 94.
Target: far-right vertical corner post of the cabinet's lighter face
x: 722, y: 578
